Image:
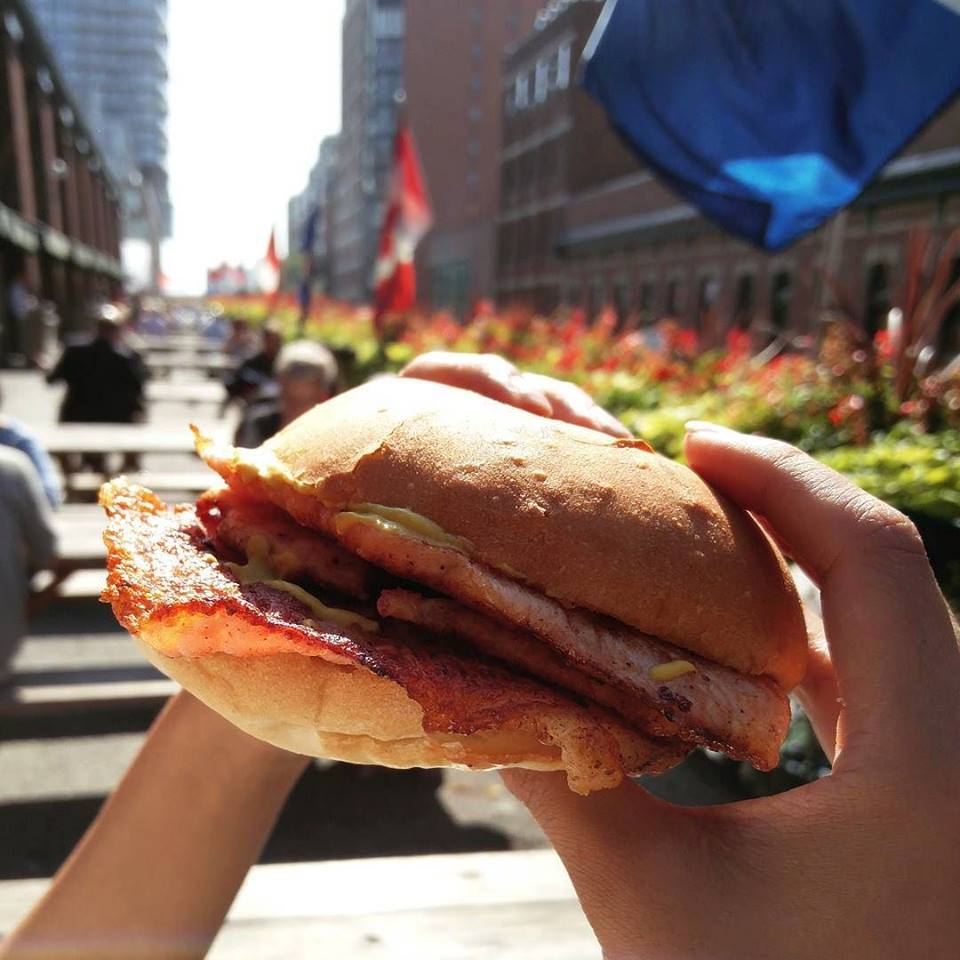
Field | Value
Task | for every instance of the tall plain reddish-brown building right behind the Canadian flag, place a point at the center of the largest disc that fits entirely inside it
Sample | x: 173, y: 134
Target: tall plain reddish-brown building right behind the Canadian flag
x: 452, y: 101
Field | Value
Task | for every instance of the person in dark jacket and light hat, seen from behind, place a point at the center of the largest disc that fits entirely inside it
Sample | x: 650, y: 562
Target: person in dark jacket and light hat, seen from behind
x: 104, y: 377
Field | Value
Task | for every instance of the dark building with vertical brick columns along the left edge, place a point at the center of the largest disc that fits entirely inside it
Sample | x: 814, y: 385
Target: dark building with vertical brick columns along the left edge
x: 59, y: 208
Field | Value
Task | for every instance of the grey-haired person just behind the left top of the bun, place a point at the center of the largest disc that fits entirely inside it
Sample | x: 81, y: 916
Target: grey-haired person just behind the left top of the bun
x: 307, y: 374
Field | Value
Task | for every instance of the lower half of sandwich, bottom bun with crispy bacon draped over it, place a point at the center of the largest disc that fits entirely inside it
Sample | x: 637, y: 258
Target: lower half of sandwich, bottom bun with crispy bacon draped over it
x: 396, y: 698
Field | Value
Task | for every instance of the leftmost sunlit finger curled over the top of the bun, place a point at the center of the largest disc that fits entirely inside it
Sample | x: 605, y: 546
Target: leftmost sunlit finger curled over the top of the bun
x: 487, y: 374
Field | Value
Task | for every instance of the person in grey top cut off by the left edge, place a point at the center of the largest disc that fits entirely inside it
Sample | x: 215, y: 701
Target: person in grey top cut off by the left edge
x: 27, y: 544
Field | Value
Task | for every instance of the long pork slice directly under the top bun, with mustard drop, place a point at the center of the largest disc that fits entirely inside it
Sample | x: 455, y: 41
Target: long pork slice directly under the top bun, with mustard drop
x: 746, y: 717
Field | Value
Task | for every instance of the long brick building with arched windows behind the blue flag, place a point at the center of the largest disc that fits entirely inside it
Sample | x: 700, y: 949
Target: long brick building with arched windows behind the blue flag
x: 583, y: 223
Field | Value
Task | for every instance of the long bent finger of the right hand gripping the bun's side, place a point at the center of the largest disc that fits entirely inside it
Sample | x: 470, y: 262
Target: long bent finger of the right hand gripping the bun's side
x: 889, y: 633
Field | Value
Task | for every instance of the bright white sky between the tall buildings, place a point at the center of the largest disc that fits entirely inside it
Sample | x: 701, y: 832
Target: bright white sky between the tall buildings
x: 254, y: 87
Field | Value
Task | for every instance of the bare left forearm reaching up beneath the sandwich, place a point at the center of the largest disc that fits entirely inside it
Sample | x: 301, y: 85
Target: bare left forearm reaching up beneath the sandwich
x: 157, y: 871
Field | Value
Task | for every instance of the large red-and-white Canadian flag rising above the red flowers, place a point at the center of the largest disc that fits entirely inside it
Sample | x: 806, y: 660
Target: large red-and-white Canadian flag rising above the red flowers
x: 406, y: 219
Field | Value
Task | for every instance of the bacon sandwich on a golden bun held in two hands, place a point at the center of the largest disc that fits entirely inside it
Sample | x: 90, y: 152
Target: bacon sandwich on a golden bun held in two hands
x: 414, y: 575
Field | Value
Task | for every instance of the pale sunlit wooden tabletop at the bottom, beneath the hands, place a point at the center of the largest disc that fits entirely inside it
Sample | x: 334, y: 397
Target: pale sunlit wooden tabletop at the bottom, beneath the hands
x: 515, y: 905
